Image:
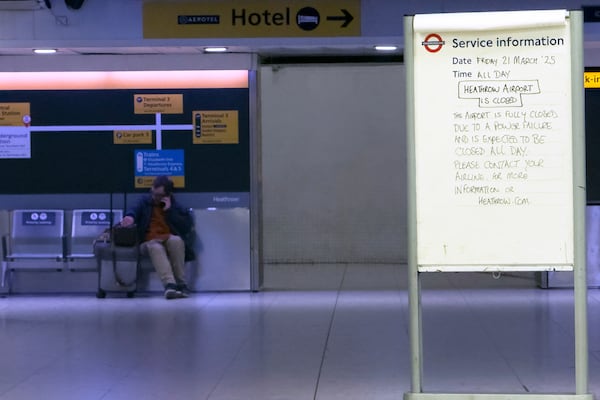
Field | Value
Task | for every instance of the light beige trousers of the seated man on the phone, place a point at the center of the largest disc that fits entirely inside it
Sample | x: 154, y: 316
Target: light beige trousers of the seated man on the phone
x: 168, y: 258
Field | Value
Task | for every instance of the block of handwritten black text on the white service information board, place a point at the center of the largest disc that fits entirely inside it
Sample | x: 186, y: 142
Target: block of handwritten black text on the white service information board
x: 505, y: 146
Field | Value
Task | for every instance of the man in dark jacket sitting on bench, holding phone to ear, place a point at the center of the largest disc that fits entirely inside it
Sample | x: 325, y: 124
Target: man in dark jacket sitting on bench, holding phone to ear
x: 161, y: 224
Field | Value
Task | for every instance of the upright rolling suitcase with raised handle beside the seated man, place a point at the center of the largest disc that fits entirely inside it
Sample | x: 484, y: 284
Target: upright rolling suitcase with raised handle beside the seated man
x: 118, y: 266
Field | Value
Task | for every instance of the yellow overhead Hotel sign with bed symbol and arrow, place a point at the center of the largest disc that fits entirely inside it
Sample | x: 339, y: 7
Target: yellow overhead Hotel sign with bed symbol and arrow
x: 237, y: 19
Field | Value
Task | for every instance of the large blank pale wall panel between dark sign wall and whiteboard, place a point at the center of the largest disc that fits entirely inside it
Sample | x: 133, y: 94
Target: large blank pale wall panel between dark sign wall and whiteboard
x: 333, y: 160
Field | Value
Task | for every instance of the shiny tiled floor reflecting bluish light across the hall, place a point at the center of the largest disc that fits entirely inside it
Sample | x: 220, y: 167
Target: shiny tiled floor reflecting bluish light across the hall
x: 297, y: 340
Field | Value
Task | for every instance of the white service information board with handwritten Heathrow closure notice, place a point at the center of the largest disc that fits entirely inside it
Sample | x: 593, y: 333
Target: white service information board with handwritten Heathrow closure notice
x: 493, y: 141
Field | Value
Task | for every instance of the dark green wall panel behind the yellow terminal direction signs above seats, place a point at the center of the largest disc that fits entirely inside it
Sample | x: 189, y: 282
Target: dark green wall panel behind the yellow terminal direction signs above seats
x: 87, y: 161
